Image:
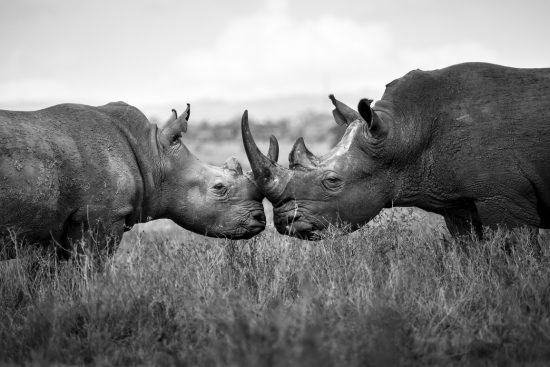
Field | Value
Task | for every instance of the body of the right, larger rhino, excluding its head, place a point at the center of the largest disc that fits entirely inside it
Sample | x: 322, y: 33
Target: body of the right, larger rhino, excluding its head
x: 478, y: 144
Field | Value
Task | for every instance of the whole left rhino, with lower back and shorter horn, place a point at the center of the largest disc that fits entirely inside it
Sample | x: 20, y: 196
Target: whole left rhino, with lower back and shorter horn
x: 71, y: 167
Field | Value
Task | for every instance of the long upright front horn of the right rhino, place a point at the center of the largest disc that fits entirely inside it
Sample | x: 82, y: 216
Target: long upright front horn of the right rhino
x: 270, y: 177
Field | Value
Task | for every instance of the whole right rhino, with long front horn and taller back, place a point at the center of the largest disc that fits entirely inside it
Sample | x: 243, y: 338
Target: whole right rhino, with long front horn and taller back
x: 470, y: 142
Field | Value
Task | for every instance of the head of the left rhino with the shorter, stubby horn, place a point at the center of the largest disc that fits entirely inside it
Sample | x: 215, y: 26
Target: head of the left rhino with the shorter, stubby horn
x: 206, y: 199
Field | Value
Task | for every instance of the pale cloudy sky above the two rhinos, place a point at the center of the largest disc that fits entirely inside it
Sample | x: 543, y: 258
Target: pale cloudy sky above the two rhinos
x: 160, y: 54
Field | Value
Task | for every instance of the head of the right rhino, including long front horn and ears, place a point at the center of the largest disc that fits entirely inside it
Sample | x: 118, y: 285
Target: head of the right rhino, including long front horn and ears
x: 344, y: 188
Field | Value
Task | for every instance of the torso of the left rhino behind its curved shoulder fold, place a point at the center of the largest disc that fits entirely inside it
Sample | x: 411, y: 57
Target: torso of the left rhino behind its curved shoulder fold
x: 60, y: 162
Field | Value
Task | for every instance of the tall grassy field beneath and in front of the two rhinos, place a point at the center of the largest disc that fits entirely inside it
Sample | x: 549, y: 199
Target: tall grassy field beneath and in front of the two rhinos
x: 394, y: 293
